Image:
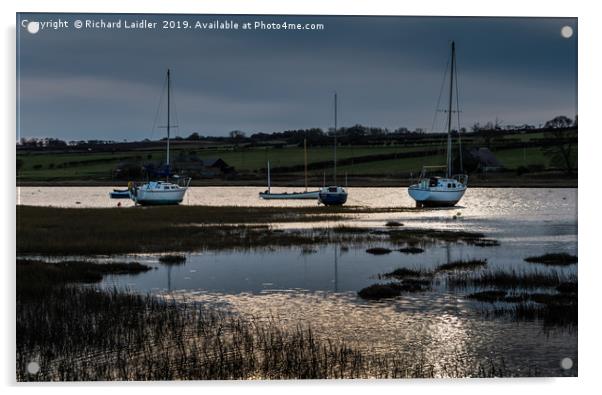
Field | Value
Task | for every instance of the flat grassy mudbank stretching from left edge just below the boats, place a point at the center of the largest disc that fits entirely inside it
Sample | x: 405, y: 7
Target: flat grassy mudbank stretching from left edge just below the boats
x: 63, y: 231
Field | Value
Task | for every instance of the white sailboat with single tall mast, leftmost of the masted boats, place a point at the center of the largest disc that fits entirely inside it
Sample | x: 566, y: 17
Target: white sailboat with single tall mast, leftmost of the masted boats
x: 161, y: 192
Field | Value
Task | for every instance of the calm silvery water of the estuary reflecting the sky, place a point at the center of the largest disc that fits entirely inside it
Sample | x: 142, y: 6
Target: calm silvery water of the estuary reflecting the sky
x: 319, y: 287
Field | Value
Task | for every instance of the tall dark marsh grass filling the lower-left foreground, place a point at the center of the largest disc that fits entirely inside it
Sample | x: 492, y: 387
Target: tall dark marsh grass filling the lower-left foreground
x: 81, y: 333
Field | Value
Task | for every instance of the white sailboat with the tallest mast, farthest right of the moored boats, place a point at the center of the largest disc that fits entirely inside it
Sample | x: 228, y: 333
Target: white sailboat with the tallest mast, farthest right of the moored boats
x: 436, y: 190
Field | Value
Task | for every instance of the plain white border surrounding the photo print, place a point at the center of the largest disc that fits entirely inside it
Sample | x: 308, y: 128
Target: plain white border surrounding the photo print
x: 590, y: 67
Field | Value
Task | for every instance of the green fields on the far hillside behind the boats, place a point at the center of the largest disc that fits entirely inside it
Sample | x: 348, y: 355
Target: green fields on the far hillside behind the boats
x: 98, y: 166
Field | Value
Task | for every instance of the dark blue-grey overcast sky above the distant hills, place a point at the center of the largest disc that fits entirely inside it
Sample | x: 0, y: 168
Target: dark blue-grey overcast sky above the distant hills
x: 106, y: 84
